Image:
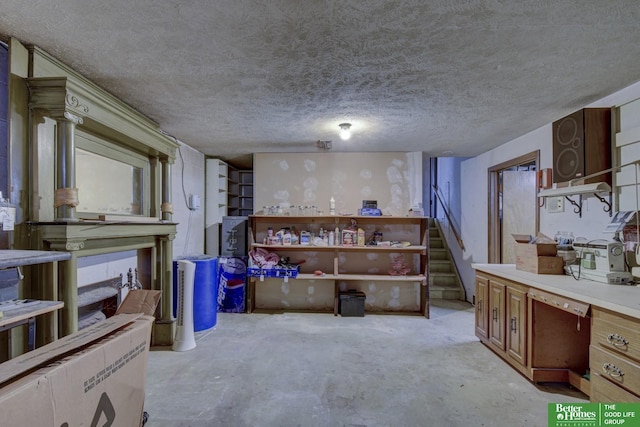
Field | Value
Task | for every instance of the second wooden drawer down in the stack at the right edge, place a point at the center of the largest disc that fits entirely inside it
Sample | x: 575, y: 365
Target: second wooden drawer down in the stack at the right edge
x: 614, y: 368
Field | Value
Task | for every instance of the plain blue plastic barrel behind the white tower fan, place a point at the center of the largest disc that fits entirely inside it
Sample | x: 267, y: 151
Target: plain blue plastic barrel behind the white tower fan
x: 205, y: 291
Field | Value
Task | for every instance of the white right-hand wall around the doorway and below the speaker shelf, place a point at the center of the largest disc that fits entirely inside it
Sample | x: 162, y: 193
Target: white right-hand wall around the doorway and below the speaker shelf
x: 474, y: 190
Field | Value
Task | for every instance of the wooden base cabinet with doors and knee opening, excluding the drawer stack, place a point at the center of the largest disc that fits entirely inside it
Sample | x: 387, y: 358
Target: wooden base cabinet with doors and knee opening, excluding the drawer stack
x: 543, y: 336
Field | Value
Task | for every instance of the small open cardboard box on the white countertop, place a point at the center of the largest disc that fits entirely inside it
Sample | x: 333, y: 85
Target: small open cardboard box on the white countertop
x: 539, y: 258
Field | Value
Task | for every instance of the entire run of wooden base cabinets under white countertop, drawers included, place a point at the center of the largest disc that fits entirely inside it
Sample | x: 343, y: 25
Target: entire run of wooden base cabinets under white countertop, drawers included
x: 552, y: 338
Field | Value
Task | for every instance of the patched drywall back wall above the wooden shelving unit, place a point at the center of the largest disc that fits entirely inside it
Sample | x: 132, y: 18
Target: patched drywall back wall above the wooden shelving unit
x: 394, y: 179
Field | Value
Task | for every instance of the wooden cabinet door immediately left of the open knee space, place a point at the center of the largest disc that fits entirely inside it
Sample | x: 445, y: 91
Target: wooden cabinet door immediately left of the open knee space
x: 516, y: 325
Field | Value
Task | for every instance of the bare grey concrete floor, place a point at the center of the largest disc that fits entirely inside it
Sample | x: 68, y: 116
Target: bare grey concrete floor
x: 319, y: 370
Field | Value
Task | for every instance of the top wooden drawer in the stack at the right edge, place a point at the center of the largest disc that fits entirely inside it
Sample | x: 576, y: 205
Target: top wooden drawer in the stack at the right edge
x: 614, y: 333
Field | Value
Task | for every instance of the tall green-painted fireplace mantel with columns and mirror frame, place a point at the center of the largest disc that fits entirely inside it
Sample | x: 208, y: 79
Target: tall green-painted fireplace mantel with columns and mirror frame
x: 61, y: 103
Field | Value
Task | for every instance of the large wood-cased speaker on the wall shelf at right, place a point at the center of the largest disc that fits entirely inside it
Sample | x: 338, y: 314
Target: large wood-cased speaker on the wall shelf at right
x: 582, y: 145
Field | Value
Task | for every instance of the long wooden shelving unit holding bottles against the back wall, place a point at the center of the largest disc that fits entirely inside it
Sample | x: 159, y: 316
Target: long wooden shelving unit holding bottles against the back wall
x: 363, y: 268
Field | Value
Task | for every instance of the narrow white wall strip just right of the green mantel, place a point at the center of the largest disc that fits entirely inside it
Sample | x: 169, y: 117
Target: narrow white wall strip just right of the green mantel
x: 188, y: 178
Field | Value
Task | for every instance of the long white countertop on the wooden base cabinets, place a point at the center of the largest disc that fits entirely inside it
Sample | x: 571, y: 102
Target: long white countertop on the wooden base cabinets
x: 624, y: 299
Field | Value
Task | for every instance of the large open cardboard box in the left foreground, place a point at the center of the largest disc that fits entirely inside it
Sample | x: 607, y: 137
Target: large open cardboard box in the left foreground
x: 93, y: 377
